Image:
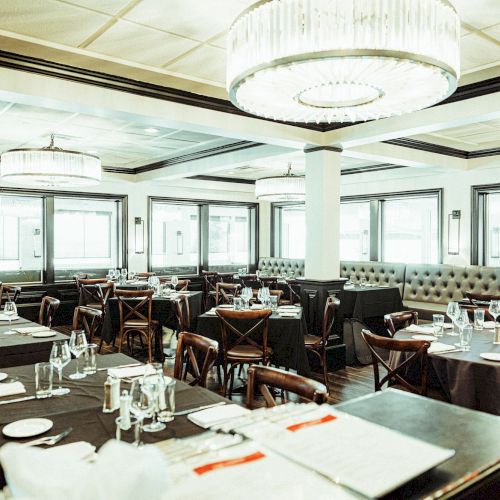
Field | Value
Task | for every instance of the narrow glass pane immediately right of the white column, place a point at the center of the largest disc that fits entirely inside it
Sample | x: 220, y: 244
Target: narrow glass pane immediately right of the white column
x: 355, y: 231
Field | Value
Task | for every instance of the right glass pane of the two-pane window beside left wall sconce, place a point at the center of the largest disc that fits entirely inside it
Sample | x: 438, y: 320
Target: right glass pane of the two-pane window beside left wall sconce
x: 228, y: 233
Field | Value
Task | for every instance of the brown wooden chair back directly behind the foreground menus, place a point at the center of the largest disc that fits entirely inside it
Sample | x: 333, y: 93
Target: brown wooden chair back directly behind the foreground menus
x: 263, y: 377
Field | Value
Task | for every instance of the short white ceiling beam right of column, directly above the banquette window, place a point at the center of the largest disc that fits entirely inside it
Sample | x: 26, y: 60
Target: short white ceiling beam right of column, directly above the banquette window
x: 387, y: 153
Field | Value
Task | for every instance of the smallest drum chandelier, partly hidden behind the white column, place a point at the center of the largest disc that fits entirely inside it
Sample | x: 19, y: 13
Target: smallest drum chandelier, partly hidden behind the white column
x: 286, y: 187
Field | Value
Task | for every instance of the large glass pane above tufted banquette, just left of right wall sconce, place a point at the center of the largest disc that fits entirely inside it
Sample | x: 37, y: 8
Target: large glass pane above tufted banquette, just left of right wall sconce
x: 410, y: 230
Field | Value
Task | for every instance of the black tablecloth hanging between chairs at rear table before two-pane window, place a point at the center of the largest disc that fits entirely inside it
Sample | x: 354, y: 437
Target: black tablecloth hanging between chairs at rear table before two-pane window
x: 164, y: 311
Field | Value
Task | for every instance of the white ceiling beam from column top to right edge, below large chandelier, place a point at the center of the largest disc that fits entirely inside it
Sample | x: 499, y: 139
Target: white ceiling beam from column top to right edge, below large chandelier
x: 426, y: 121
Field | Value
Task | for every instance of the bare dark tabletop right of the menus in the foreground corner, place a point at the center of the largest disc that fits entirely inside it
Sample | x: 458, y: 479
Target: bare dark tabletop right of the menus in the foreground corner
x: 473, y: 435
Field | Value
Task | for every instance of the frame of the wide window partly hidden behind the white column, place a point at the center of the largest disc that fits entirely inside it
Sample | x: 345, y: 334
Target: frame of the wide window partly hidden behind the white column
x: 376, y: 218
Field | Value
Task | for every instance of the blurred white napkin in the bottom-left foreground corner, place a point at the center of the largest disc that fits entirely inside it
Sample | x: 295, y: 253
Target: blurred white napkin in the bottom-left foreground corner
x: 33, y: 473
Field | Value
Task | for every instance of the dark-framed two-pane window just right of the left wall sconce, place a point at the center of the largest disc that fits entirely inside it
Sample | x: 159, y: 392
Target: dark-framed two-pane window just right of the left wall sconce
x: 187, y: 236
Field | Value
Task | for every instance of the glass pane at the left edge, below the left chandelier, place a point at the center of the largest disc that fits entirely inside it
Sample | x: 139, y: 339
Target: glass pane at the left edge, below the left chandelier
x: 21, y: 239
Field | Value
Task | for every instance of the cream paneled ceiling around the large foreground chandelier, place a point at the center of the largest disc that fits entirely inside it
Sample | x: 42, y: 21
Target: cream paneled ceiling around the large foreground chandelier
x: 187, y: 37
